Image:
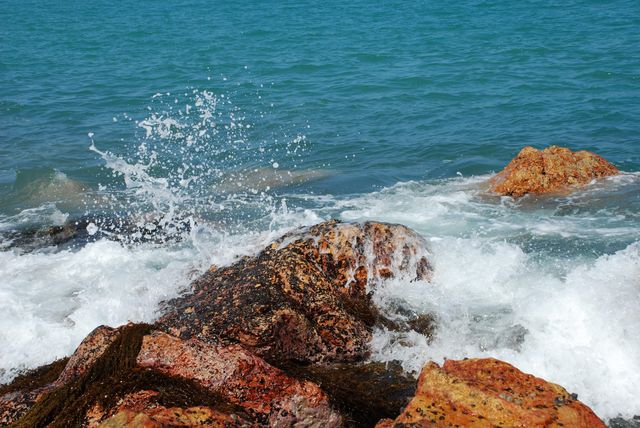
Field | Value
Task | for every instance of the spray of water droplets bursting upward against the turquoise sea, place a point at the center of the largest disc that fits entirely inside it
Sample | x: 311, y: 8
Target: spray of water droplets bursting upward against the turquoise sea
x: 198, y: 159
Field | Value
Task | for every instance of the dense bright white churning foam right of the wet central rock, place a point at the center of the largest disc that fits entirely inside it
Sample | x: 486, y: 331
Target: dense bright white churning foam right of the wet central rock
x: 582, y: 329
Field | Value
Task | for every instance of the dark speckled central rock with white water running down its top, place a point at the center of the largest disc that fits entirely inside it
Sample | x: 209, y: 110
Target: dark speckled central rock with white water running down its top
x: 304, y: 297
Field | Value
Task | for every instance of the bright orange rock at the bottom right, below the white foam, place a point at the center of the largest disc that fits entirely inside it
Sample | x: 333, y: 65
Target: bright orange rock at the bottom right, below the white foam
x: 488, y: 393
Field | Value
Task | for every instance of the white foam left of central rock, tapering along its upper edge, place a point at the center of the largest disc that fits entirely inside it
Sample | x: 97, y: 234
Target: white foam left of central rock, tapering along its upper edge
x: 50, y: 301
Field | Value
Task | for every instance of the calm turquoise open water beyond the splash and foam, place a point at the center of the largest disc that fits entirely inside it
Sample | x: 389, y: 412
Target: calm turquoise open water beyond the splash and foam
x: 404, y: 90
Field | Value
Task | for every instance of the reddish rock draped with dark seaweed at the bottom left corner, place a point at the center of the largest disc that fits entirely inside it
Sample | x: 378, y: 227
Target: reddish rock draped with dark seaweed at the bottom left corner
x: 138, y: 376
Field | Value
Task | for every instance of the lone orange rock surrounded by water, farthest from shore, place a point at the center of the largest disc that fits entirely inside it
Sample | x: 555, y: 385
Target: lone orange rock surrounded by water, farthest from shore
x: 550, y: 170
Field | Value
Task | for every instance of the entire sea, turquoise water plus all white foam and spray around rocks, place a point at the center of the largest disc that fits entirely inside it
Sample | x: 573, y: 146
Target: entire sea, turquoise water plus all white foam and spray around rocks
x: 186, y: 133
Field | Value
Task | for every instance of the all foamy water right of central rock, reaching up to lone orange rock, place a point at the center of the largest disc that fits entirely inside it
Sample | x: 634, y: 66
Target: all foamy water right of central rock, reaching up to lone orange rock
x: 550, y: 284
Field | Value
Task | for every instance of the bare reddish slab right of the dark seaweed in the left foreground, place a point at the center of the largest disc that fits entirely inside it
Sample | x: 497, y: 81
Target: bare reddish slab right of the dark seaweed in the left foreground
x: 241, y: 378
